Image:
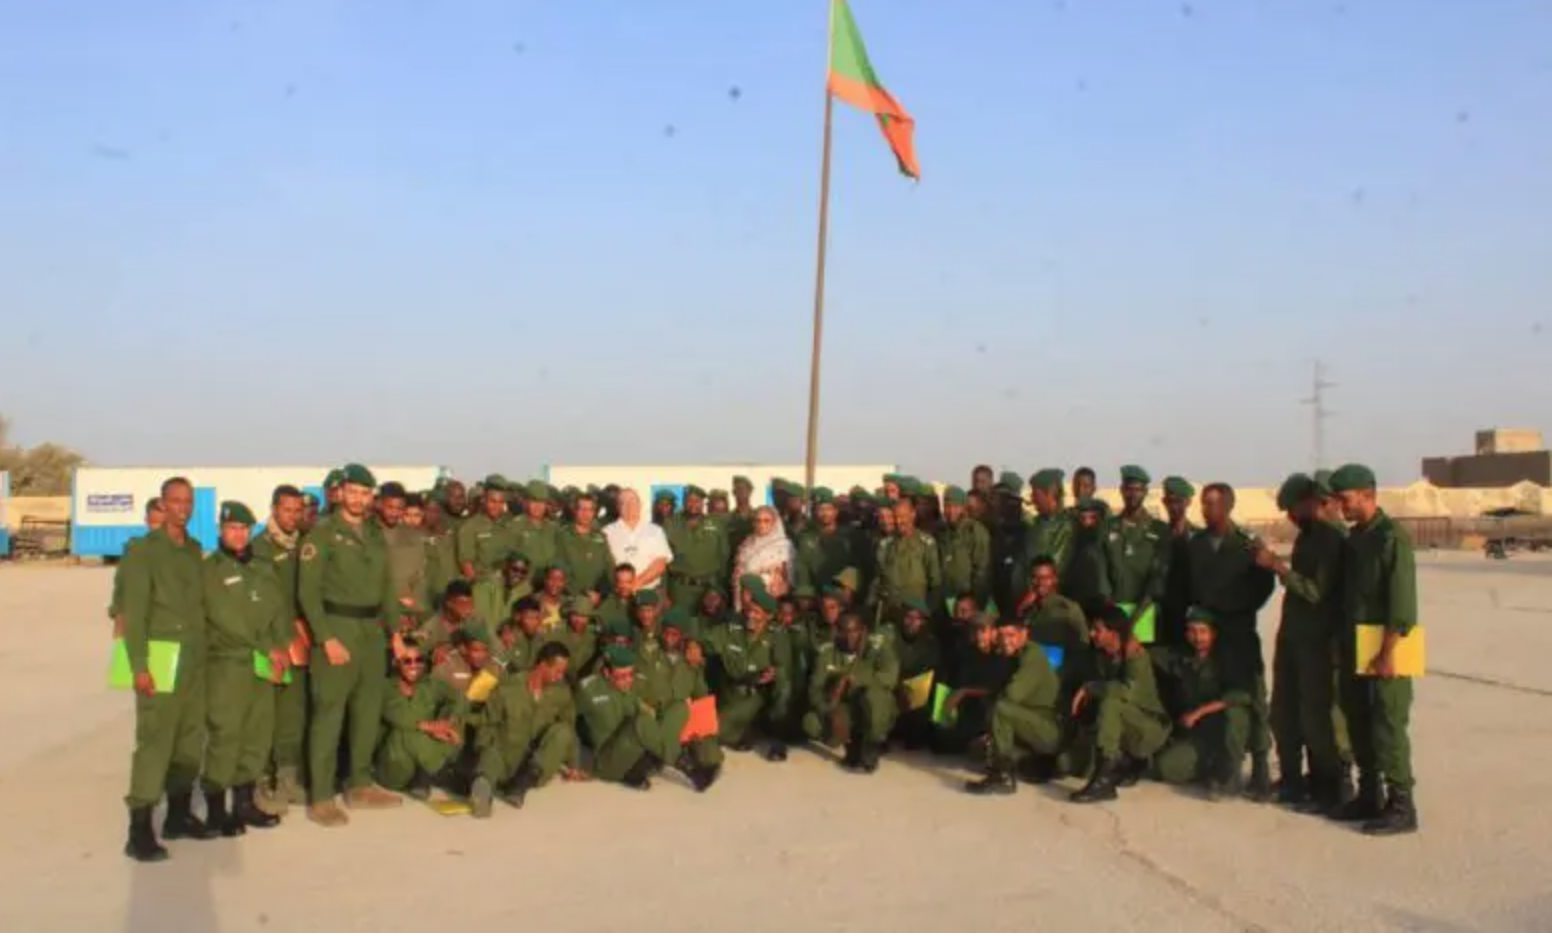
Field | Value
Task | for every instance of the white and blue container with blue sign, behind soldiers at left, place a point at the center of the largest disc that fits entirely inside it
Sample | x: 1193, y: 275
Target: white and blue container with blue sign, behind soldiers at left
x: 108, y: 505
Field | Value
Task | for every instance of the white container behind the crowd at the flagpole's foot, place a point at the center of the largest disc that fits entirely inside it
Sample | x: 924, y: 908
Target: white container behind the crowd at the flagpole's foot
x: 653, y: 479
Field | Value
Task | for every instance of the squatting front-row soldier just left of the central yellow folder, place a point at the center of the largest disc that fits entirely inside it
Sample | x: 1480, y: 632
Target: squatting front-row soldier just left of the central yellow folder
x: 851, y: 695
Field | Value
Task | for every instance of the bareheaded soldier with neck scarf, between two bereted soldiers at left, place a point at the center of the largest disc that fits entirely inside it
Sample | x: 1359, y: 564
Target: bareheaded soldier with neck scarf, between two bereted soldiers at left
x: 277, y: 547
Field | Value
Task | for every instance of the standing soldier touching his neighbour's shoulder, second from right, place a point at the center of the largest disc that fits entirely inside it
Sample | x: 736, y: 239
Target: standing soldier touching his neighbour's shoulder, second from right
x: 1304, y: 668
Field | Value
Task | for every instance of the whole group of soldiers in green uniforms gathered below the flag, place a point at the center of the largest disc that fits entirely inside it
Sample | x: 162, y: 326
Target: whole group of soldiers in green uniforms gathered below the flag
x: 480, y: 640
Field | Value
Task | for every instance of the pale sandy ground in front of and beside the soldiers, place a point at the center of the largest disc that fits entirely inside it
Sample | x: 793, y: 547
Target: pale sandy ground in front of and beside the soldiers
x: 803, y: 847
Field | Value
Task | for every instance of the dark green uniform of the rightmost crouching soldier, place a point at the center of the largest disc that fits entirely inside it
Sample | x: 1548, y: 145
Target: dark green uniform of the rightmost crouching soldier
x: 1214, y: 747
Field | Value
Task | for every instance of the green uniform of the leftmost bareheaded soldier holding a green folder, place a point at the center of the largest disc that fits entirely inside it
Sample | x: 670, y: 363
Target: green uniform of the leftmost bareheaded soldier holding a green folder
x: 164, y: 600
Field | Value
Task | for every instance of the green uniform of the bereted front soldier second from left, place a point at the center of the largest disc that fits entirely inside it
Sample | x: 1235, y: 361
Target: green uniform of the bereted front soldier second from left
x: 246, y: 614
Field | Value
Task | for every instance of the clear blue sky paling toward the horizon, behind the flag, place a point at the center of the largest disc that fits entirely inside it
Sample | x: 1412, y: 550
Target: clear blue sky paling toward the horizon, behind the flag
x: 496, y: 235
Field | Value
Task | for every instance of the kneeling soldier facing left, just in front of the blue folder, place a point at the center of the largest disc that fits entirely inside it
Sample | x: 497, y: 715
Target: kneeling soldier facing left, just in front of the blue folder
x: 1025, y: 715
